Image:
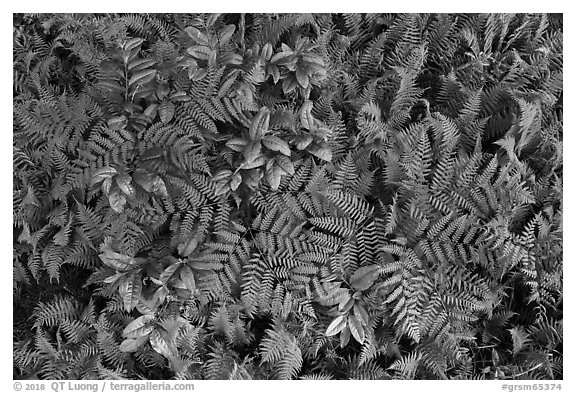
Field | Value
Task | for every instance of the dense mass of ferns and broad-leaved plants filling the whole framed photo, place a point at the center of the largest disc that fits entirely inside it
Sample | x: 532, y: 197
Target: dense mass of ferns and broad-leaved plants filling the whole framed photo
x: 297, y: 196
